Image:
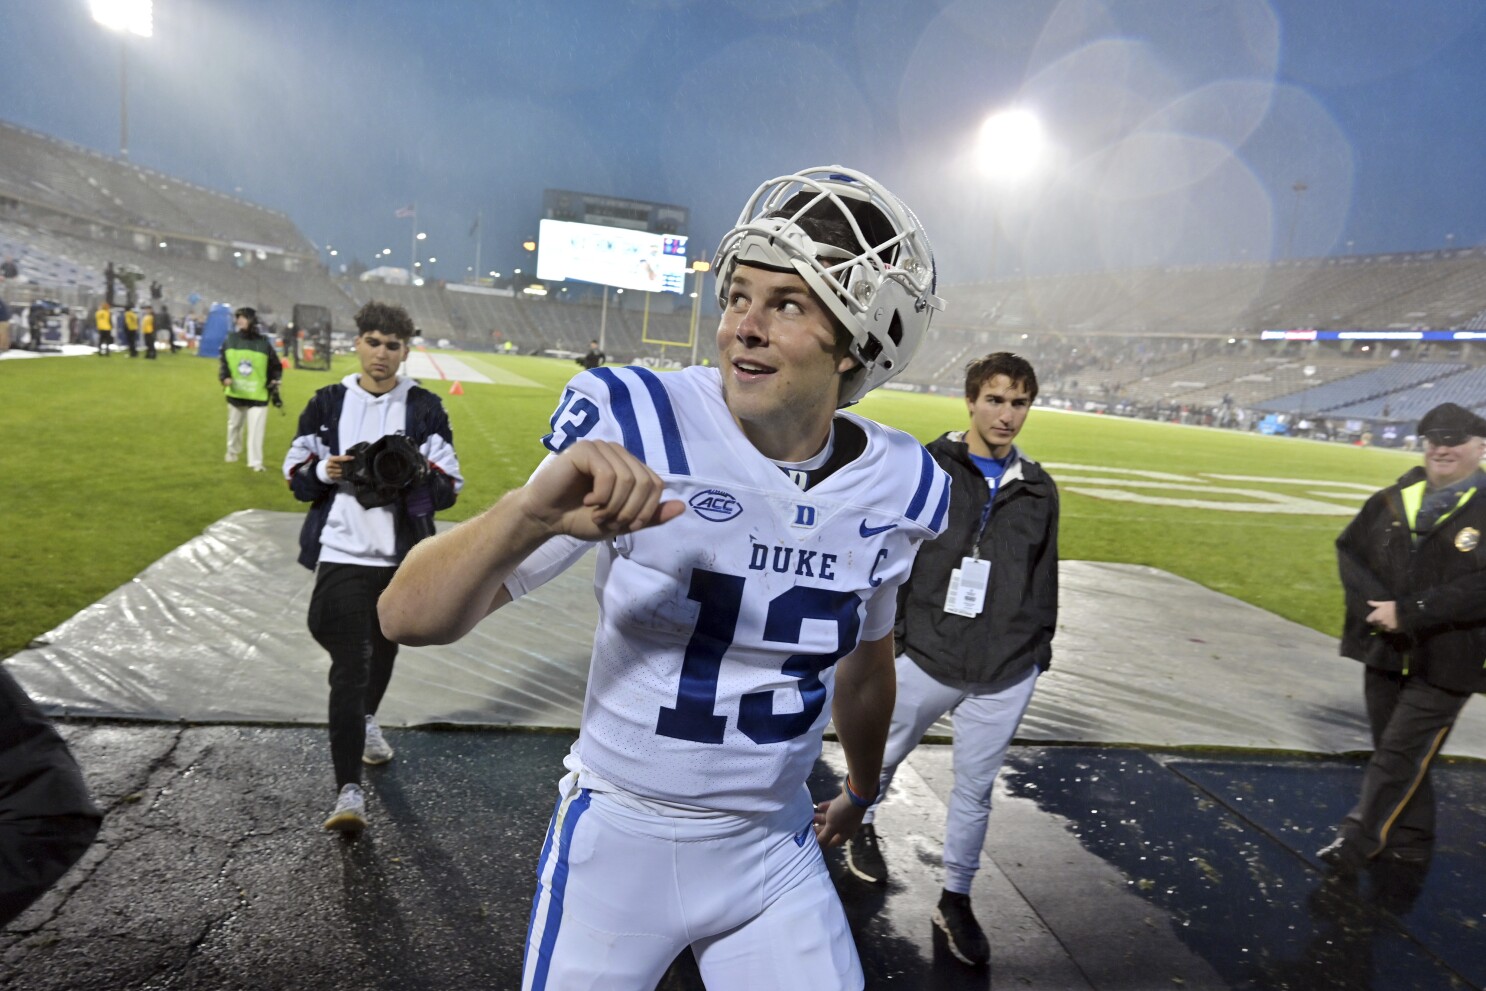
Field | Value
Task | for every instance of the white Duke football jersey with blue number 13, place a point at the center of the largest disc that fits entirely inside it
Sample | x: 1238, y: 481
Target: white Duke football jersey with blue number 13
x: 718, y: 632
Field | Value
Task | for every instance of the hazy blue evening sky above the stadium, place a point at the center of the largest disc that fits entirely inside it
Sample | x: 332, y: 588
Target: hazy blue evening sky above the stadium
x: 1179, y: 129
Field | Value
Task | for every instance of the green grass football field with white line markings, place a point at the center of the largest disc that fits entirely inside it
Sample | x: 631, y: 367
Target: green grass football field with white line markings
x: 109, y: 464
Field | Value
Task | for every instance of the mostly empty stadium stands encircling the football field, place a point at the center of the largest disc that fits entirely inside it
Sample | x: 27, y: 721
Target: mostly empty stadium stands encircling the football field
x: 1143, y: 339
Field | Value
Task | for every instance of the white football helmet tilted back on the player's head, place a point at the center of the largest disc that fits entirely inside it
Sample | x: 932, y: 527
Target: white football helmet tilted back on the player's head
x: 880, y: 289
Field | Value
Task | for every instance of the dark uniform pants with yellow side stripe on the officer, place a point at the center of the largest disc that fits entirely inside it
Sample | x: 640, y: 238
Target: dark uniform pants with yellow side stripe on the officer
x: 1411, y: 721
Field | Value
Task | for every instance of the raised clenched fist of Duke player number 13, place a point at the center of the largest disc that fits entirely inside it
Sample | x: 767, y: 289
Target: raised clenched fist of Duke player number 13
x: 597, y: 490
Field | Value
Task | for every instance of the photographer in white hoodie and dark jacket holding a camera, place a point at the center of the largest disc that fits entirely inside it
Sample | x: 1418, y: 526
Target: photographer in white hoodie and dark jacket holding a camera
x: 375, y: 458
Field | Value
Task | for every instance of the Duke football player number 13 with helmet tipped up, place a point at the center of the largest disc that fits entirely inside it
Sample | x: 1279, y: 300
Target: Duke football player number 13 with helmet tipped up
x: 751, y: 539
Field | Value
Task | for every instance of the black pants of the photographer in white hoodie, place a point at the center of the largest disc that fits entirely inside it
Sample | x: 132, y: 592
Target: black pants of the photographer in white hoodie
x: 343, y: 619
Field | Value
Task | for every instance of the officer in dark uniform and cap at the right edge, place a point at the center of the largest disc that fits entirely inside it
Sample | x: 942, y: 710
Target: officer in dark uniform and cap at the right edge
x: 1414, y: 571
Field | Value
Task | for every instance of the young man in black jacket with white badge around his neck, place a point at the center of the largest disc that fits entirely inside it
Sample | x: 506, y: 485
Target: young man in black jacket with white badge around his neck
x: 976, y: 625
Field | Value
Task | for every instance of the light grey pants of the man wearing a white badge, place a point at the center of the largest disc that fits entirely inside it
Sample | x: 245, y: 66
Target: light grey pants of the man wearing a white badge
x: 984, y: 726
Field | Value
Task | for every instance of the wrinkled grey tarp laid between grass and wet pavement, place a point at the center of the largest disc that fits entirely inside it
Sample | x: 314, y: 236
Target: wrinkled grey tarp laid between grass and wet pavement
x: 215, y: 632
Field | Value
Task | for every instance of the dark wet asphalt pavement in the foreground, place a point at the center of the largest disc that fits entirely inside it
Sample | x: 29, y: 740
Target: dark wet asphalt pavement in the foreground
x: 1108, y: 868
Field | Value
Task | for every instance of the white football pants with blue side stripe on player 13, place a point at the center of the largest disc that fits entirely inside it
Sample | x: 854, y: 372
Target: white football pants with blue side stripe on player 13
x: 622, y: 892
